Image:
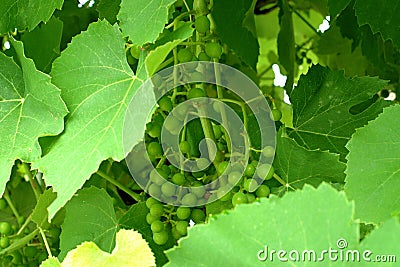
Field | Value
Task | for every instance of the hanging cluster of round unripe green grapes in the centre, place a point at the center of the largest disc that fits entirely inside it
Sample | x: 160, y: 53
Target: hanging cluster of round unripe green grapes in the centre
x: 236, y: 183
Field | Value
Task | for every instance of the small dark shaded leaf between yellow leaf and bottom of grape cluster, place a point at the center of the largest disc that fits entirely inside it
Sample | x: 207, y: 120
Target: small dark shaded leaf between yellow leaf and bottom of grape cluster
x: 135, y: 218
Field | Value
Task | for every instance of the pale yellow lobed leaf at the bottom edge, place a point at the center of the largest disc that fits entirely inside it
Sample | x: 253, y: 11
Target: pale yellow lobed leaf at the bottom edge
x: 131, y: 250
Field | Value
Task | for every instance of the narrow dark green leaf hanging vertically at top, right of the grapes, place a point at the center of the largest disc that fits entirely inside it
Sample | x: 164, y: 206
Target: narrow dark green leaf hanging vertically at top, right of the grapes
x: 286, y: 49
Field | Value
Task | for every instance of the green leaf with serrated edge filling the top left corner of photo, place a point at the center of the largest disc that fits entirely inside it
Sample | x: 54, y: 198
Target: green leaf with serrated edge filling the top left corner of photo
x: 17, y: 14
